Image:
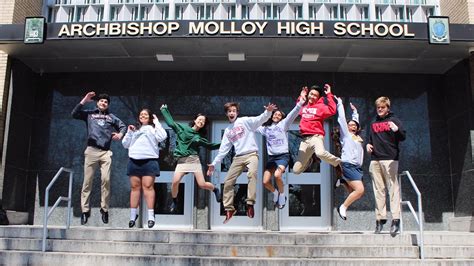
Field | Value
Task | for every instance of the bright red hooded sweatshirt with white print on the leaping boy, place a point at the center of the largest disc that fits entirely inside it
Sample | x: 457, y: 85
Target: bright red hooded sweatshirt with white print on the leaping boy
x: 314, y: 114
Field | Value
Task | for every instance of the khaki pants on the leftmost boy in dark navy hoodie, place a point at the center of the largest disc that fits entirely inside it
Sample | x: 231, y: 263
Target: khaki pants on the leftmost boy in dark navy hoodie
x: 93, y: 158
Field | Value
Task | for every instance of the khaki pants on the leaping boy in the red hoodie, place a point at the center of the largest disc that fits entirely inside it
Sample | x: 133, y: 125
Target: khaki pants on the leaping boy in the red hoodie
x: 308, y: 146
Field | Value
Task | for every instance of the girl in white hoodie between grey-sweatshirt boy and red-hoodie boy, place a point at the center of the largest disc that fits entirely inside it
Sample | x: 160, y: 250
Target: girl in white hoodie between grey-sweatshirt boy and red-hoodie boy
x: 275, y: 131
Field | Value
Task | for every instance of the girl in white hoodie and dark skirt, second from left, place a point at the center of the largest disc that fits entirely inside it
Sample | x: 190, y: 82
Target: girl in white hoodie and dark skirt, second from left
x: 142, y: 144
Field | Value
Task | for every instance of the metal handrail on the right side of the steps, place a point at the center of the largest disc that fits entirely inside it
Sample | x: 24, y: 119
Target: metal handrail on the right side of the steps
x: 418, y: 217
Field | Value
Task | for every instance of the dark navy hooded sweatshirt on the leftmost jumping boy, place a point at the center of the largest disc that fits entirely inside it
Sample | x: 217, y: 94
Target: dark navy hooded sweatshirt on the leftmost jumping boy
x: 100, y: 126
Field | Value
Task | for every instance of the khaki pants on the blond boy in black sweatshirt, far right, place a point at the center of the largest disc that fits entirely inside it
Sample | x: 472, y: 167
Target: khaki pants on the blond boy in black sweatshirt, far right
x: 384, y: 175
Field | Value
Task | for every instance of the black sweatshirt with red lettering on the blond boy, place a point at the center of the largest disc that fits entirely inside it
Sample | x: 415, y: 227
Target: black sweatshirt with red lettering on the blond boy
x: 384, y: 140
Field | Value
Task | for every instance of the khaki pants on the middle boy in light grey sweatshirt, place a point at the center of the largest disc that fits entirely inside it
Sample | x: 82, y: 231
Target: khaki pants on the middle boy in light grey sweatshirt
x: 238, y: 165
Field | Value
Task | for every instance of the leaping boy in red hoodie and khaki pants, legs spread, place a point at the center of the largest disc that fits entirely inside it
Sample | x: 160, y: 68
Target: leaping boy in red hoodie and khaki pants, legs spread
x: 313, y: 114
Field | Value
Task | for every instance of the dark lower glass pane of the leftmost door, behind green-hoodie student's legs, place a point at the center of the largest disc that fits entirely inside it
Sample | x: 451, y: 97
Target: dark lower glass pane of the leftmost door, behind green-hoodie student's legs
x: 163, y: 199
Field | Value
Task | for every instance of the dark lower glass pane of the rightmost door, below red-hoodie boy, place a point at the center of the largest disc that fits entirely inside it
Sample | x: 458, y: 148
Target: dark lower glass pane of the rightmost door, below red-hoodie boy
x: 304, y: 200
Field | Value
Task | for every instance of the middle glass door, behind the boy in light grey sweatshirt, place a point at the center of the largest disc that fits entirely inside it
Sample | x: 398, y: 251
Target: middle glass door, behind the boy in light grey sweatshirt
x: 240, y: 221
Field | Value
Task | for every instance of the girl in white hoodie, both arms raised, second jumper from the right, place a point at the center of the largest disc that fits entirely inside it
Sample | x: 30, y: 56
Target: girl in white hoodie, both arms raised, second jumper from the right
x: 352, y: 156
